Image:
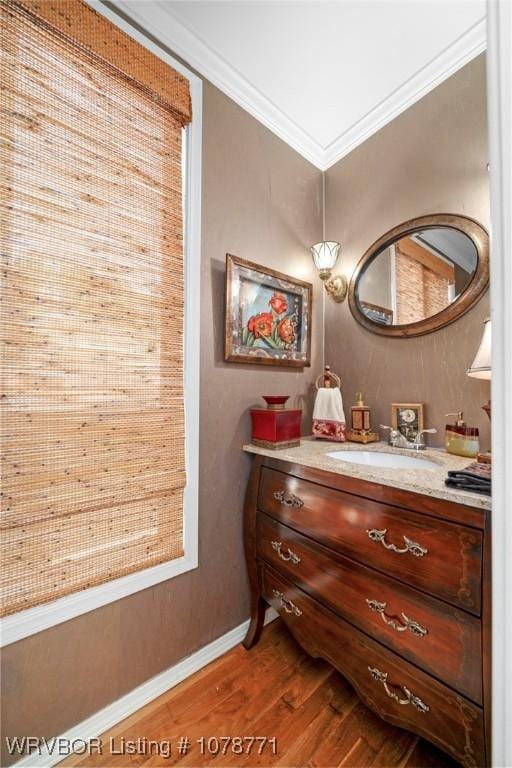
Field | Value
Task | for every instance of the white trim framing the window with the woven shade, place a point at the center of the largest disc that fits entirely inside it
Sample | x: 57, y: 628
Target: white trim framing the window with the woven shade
x: 41, y: 617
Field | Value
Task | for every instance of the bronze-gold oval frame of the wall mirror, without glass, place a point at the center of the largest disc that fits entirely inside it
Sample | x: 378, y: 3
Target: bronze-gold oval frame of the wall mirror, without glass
x: 462, y: 303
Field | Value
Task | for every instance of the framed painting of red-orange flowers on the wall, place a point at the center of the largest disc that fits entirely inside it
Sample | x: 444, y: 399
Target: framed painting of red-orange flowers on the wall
x: 268, y: 316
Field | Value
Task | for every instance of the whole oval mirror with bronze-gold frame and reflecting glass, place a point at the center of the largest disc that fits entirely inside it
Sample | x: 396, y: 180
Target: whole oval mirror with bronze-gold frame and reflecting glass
x: 421, y: 275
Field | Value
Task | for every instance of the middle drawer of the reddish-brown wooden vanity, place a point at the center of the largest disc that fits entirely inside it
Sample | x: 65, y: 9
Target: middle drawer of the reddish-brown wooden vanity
x: 439, y: 638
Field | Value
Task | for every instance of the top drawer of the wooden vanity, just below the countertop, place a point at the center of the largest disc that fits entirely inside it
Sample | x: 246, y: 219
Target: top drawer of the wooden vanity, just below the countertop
x: 442, y: 558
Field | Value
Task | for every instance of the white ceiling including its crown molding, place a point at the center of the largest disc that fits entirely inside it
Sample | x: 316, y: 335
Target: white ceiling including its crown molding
x: 322, y: 75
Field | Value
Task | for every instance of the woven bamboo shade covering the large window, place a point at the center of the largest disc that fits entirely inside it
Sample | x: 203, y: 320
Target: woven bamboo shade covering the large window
x: 92, y: 428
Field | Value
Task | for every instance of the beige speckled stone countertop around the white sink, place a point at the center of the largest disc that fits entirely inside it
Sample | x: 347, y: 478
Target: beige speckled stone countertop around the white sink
x: 430, y: 482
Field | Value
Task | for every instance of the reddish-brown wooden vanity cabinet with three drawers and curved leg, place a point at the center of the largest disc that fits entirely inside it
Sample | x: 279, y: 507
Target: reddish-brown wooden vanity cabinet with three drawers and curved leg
x: 389, y: 586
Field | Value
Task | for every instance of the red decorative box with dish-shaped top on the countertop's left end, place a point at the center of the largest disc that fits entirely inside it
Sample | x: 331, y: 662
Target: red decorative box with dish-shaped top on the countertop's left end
x: 275, y: 426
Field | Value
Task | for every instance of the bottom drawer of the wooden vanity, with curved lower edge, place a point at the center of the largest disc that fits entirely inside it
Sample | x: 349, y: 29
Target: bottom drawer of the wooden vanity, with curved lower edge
x: 391, y: 686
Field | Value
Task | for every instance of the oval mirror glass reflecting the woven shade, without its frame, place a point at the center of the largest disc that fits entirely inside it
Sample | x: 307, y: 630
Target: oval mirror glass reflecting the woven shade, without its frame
x: 416, y: 276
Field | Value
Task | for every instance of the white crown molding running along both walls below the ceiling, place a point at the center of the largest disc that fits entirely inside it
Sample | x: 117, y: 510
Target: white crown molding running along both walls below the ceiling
x: 158, y: 19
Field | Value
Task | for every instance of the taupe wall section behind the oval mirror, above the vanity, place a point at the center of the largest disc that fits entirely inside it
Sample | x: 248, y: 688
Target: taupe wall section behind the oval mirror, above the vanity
x: 430, y: 159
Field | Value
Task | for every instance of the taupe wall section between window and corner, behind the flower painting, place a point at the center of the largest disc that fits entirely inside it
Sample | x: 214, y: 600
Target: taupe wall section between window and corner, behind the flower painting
x: 260, y: 201
